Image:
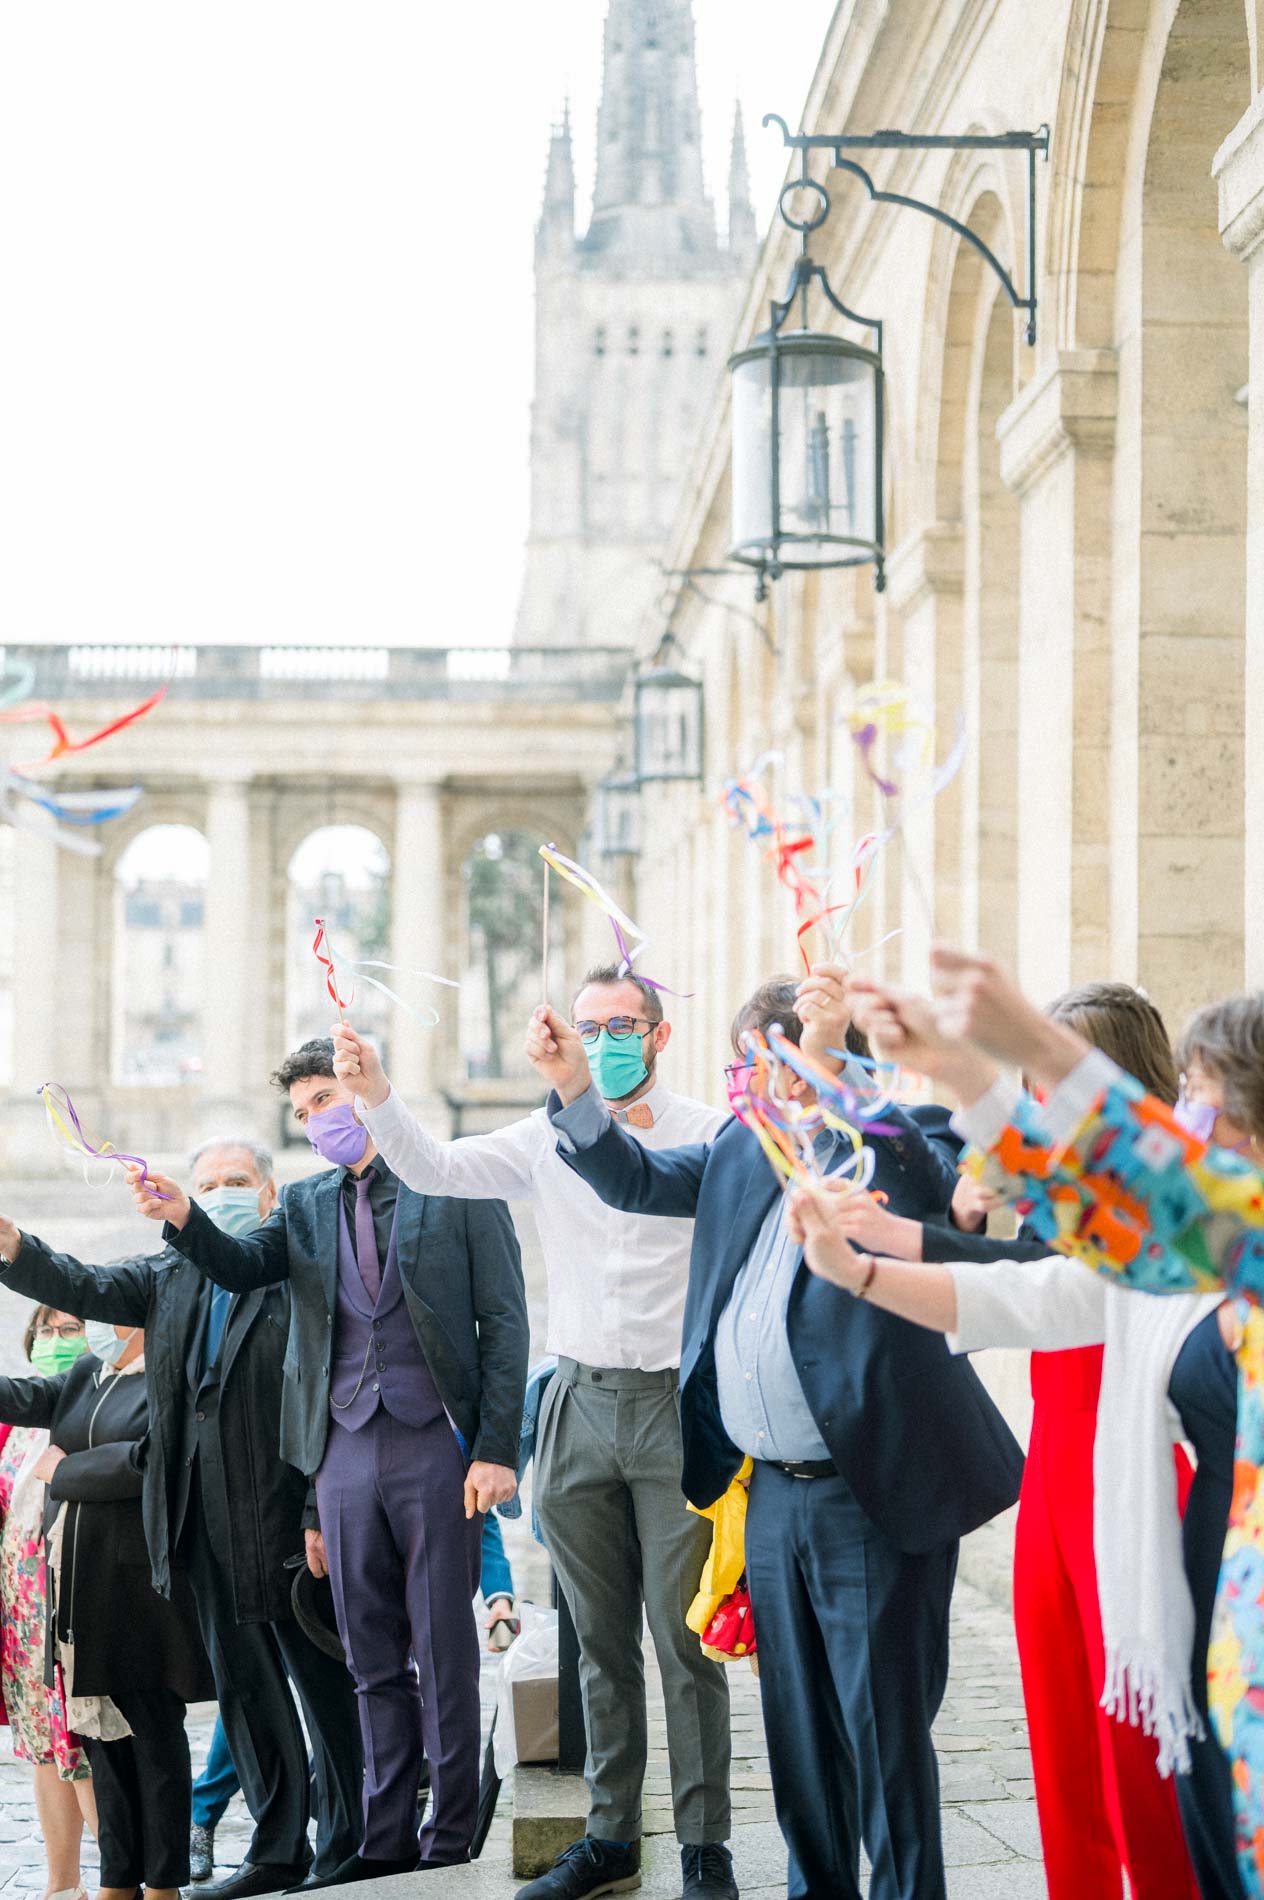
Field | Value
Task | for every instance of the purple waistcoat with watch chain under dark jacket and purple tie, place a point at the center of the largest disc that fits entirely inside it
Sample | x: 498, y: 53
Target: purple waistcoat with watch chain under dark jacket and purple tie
x: 396, y: 1373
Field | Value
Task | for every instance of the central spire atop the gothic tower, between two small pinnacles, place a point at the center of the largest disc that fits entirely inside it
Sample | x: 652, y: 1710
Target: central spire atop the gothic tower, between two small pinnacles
x: 649, y: 193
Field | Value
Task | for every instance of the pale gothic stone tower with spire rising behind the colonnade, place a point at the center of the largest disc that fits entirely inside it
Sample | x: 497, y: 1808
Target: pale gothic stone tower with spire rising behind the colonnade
x: 634, y: 324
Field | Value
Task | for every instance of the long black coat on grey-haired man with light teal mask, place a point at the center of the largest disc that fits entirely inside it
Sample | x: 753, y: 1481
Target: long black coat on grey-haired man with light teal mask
x: 164, y: 1295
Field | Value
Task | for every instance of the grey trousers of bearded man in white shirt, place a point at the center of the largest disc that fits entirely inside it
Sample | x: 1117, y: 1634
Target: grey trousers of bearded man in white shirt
x: 626, y: 1549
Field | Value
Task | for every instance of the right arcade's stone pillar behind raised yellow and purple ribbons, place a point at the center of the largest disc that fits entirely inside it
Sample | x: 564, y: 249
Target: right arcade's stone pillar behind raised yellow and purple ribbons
x: 925, y: 586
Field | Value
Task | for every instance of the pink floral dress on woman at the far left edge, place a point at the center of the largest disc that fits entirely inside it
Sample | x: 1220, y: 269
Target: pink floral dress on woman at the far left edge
x: 37, y: 1715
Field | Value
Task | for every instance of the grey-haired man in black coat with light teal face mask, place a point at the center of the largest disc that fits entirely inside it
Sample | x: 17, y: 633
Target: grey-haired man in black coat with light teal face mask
x: 223, y: 1506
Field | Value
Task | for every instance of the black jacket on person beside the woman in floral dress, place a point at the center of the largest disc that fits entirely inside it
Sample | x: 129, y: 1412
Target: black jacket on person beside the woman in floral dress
x: 126, y: 1637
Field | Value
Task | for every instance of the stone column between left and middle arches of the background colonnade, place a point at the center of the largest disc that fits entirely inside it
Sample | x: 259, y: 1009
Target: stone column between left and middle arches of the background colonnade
x: 233, y: 966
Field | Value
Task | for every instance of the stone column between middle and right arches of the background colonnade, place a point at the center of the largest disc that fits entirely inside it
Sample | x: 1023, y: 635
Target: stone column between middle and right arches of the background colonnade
x: 423, y: 938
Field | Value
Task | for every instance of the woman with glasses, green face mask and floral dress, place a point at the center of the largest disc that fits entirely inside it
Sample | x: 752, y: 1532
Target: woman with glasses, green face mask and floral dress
x: 37, y: 1715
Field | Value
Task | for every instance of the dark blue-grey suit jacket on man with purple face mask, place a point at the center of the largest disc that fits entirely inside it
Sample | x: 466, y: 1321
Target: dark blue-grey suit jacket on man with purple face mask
x: 463, y: 1283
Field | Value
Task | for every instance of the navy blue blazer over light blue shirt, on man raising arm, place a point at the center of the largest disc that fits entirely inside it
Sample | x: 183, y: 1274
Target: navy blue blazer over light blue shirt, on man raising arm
x: 908, y: 1424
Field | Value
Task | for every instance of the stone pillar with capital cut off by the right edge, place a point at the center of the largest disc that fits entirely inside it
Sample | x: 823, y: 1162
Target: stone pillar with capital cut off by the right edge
x: 1240, y: 174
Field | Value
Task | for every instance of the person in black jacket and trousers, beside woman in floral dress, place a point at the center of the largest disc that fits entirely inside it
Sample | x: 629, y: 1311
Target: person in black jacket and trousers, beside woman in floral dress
x: 128, y: 1658
